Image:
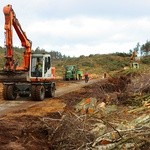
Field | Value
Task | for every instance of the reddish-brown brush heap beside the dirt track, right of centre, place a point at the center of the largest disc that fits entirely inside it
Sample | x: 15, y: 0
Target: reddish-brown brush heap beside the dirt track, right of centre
x: 110, y: 90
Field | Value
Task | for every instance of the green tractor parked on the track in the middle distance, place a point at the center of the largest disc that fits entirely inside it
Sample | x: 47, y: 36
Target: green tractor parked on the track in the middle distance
x: 72, y: 73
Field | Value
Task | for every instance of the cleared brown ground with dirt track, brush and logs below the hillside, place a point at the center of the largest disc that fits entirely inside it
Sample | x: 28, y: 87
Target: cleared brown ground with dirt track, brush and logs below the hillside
x: 110, y: 113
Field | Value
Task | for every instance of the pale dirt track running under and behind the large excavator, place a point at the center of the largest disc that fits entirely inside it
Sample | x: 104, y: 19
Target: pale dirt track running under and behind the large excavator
x: 24, y: 103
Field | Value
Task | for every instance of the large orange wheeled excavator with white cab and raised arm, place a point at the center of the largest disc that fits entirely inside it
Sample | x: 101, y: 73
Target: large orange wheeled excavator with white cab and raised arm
x: 25, y: 80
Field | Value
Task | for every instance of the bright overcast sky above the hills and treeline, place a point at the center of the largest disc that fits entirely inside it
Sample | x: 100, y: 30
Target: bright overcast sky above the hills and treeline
x: 81, y: 27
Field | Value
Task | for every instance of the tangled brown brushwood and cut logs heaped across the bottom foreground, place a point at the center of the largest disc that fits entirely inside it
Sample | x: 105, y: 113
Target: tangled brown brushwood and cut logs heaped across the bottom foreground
x: 71, y: 131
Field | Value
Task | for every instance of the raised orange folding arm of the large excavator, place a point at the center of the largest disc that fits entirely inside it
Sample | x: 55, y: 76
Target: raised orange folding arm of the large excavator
x: 10, y: 22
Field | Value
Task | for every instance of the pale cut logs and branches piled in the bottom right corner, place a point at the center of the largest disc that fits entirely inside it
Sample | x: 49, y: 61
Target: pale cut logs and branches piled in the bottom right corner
x: 133, y: 135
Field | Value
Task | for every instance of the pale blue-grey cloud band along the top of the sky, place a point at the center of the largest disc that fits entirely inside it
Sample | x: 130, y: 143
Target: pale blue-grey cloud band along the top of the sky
x: 95, y: 8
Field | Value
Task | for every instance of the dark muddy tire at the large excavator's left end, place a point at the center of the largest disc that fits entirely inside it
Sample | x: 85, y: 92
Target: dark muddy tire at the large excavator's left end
x: 11, y: 95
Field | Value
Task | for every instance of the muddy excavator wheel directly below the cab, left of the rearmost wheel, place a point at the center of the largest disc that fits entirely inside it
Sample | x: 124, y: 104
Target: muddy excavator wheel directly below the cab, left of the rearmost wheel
x: 40, y: 93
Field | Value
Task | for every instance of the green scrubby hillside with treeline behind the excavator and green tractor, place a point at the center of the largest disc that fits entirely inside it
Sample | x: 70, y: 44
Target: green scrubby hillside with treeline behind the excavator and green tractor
x: 94, y: 64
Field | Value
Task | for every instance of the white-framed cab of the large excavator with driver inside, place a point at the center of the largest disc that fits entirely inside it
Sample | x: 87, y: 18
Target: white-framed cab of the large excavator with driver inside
x: 40, y: 67
